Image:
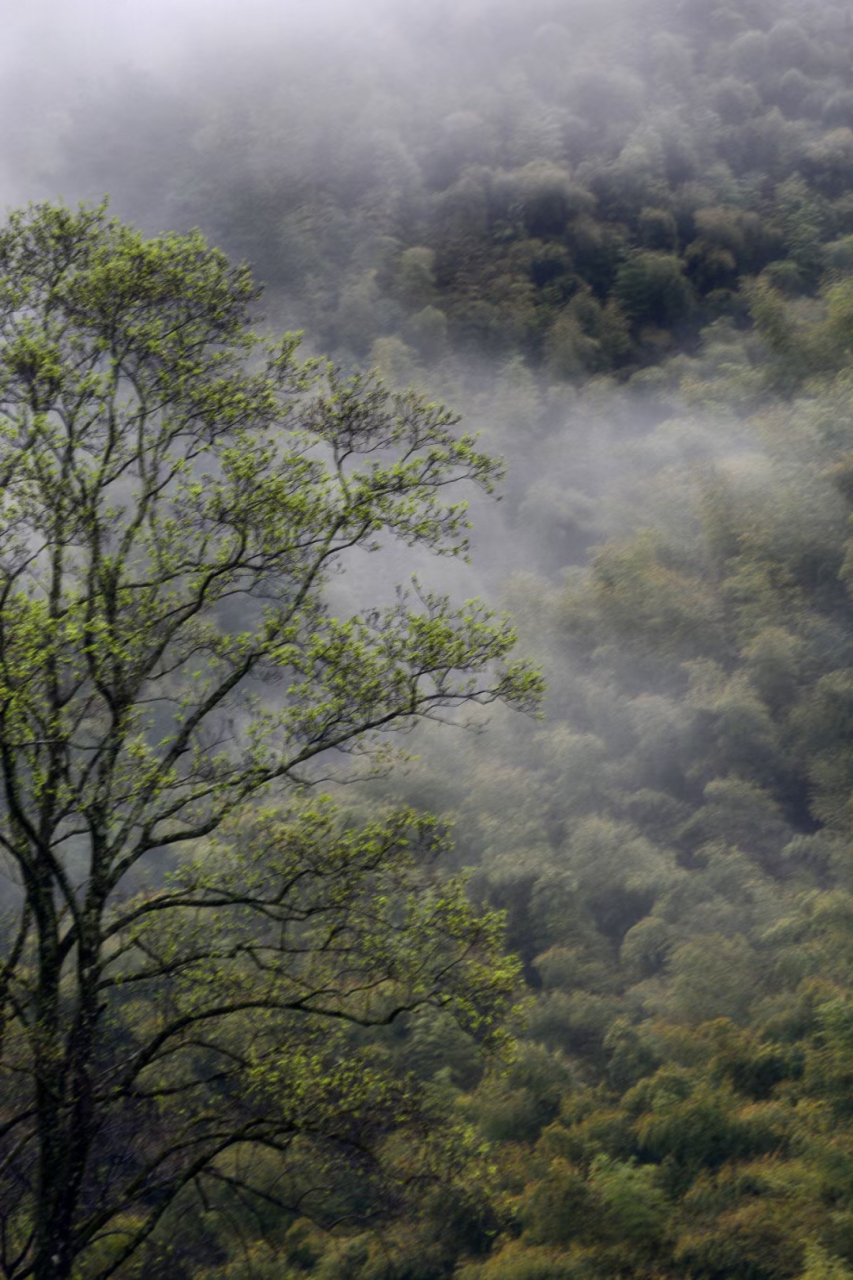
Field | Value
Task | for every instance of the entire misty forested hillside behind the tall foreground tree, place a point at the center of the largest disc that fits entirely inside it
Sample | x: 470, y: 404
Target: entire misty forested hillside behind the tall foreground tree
x: 618, y: 239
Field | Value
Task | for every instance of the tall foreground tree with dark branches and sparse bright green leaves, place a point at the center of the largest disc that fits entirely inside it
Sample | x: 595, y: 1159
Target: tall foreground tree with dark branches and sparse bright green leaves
x: 176, y: 495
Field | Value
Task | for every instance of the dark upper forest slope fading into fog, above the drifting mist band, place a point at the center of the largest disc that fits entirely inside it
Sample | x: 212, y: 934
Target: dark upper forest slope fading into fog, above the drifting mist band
x: 670, y: 159
